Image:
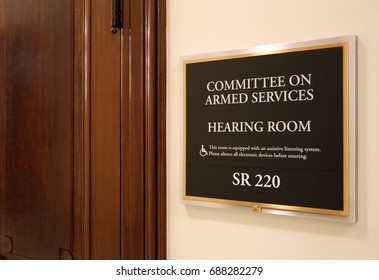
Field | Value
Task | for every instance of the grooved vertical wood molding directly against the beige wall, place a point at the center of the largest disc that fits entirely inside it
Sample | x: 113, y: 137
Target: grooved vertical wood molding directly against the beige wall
x: 155, y: 123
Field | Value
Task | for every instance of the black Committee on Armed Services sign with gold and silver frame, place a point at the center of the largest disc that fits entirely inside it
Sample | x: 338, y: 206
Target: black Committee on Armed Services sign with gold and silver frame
x: 271, y: 127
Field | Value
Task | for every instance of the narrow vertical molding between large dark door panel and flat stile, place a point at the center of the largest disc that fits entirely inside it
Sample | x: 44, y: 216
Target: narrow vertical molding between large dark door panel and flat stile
x: 82, y: 118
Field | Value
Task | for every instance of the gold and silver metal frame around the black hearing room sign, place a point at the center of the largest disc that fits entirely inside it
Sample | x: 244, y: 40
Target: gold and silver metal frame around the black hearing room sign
x: 349, y: 212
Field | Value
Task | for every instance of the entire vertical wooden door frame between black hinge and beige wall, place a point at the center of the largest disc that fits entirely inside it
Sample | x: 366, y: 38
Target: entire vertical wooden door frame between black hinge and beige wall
x: 144, y: 130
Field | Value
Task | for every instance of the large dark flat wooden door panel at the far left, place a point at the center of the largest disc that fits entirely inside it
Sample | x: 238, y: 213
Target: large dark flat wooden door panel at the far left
x: 37, y: 97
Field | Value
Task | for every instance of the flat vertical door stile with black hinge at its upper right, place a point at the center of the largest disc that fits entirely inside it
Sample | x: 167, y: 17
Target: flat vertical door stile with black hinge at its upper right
x: 105, y: 134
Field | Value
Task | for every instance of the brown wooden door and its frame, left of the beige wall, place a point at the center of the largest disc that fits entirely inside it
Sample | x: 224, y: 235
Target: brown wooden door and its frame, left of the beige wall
x: 82, y: 147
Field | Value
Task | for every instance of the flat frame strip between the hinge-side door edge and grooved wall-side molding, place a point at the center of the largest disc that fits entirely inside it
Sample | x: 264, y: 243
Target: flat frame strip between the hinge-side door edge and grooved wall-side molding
x: 132, y: 134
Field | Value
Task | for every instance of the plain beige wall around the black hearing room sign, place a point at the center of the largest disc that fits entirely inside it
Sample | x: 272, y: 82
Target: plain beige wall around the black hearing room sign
x: 198, y: 26
